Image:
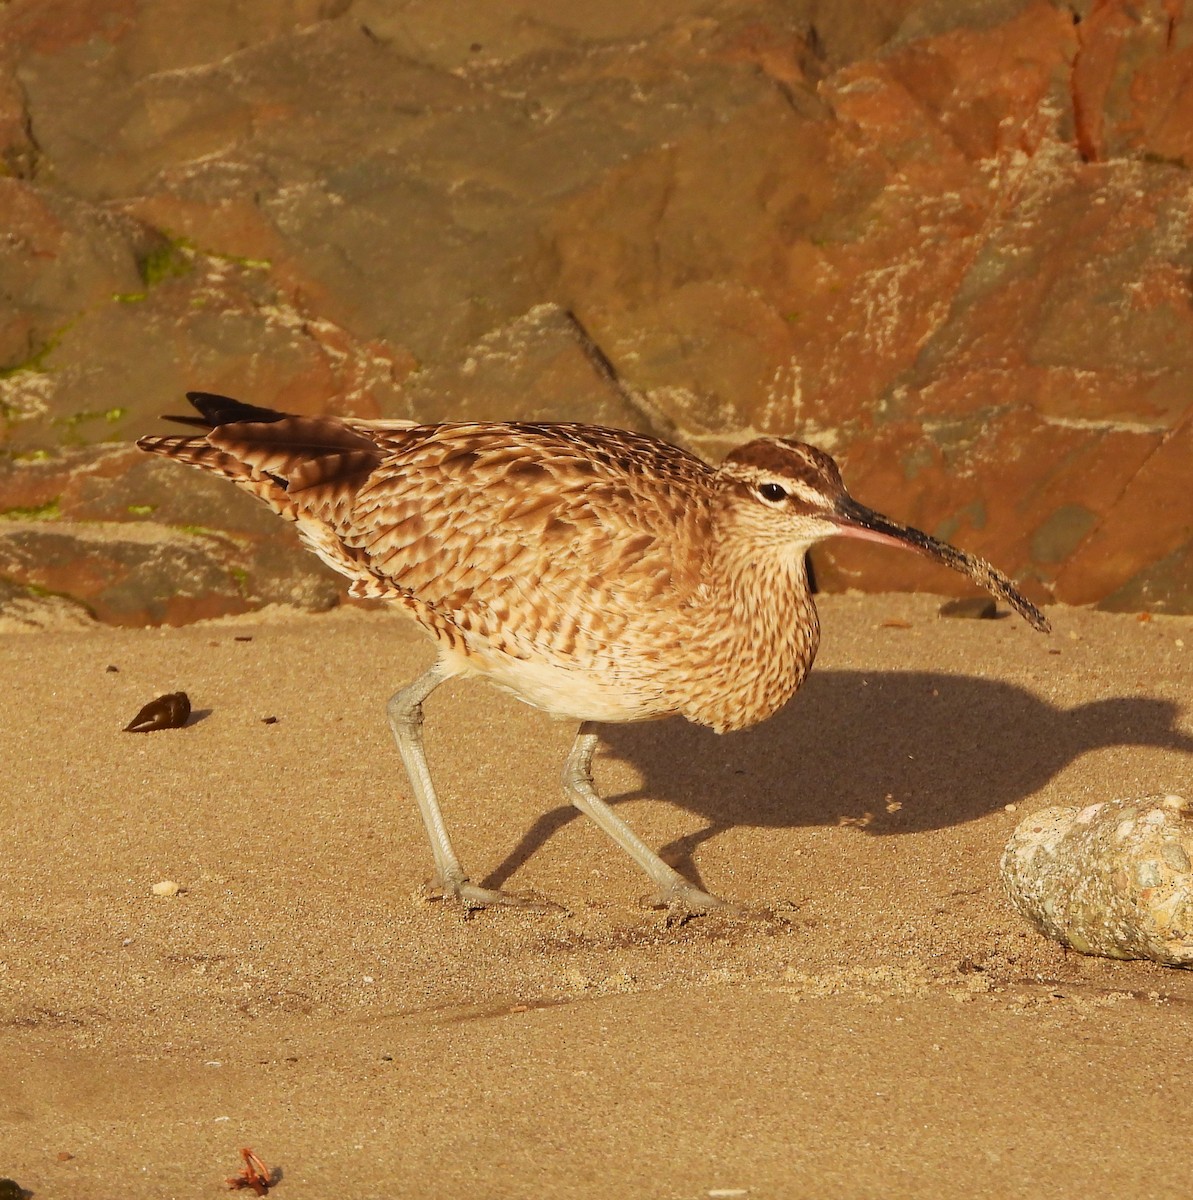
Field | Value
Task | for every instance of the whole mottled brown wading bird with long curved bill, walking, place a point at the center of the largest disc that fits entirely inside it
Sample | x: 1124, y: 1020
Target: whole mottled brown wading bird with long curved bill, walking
x: 596, y: 574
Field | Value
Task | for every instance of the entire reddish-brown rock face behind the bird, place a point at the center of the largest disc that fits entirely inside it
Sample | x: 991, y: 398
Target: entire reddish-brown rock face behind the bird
x: 949, y: 244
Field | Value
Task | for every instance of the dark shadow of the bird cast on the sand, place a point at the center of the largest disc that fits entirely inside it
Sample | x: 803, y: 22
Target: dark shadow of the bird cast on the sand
x: 888, y: 752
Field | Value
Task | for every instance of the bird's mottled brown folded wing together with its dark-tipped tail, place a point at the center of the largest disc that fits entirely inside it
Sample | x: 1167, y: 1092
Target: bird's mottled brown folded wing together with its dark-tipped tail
x: 532, y: 539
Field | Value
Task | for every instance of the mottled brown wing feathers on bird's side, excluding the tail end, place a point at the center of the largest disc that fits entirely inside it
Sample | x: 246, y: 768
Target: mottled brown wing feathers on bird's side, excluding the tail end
x: 547, y: 538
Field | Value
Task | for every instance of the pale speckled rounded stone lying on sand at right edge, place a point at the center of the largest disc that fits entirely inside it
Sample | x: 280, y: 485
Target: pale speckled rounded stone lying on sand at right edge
x: 1112, y: 879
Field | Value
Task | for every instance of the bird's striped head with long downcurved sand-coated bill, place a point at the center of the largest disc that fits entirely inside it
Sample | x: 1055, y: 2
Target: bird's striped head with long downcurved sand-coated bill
x: 787, y: 496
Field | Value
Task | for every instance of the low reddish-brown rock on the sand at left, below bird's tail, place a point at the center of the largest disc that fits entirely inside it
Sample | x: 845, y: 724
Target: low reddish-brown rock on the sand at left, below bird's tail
x: 135, y: 541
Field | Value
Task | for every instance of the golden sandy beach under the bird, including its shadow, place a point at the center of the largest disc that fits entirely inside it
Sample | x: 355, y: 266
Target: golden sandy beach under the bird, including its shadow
x: 877, y: 1022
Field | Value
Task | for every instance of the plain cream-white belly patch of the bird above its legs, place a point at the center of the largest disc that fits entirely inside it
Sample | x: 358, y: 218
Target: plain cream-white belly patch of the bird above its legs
x: 566, y: 691
